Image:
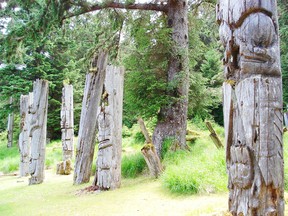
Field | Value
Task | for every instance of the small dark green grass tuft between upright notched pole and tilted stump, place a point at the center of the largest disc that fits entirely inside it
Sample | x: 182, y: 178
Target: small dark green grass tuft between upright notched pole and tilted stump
x: 133, y: 165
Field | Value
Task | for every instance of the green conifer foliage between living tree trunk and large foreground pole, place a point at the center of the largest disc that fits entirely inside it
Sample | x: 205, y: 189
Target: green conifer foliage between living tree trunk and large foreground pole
x: 205, y: 65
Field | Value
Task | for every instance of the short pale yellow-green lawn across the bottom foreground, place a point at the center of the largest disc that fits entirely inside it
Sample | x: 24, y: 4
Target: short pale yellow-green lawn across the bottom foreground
x: 137, y: 197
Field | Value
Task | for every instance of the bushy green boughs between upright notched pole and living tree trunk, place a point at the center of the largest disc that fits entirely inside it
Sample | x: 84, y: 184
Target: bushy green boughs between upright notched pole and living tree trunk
x: 145, y: 54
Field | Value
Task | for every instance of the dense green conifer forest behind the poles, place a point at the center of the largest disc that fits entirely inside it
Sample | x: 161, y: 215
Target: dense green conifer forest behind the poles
x: 138, y: 40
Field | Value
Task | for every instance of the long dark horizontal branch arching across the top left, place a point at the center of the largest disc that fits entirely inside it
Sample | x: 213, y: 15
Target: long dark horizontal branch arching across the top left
x: 98, y: 6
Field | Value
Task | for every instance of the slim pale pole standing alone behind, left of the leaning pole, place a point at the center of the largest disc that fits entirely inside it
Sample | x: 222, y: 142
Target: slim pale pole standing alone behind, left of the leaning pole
x: 67, y: 122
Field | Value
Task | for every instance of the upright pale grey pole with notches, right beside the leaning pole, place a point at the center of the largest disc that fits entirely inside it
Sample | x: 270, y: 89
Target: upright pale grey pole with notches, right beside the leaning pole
x: 108, y: 173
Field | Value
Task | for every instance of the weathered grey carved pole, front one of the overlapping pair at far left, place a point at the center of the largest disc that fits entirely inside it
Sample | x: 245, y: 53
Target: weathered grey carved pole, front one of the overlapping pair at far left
x: 38, y: 130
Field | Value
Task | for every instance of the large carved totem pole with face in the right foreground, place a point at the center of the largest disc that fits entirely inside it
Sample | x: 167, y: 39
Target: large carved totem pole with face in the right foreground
x: 252, y: 106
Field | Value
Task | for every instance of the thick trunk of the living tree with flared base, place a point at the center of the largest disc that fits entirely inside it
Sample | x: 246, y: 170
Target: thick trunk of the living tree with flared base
x: 172, y: 120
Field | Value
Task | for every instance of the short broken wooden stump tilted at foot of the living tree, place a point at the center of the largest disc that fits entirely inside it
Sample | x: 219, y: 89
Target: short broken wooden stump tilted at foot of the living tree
x: 152, y: 160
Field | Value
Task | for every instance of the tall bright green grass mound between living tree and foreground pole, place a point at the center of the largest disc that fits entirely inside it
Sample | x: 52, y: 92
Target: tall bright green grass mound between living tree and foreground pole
x: 202, y: 170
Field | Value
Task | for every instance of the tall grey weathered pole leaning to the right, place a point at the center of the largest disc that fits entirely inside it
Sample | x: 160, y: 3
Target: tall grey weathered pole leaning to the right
x: 88, y: 127
